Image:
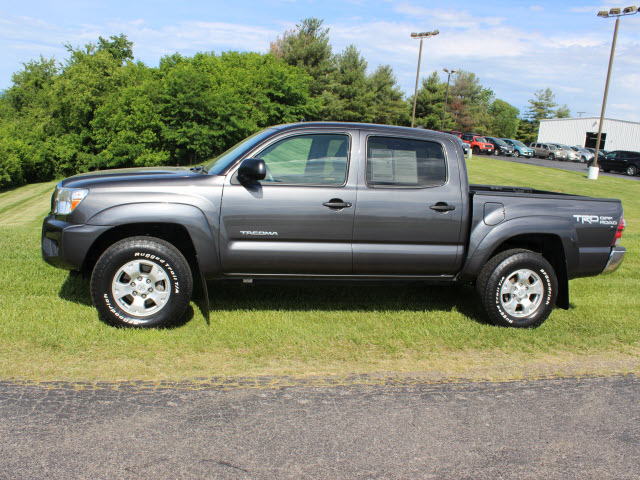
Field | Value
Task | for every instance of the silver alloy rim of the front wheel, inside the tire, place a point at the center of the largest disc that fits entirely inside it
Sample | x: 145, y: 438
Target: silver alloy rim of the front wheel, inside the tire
x: 141, y: 288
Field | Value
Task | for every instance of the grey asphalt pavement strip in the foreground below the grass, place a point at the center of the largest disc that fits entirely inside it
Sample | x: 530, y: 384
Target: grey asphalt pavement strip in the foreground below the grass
x: 561, y: 429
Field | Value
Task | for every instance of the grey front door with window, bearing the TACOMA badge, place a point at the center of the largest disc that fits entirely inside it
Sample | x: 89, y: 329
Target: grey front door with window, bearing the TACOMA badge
x: 299, y: 219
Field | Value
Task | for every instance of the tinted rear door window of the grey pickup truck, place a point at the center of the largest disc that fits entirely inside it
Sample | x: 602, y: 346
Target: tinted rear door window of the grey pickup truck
x: 405, y: 163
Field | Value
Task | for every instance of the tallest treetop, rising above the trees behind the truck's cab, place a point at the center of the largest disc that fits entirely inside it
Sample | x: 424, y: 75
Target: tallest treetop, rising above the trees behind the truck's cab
x: 307, y: 46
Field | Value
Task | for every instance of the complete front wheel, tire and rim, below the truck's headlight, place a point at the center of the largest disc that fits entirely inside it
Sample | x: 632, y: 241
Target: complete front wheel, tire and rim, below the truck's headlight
x: 163, y: 271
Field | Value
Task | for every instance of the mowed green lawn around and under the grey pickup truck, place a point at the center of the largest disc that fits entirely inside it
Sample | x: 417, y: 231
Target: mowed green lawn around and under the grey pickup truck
x: 50, y: 331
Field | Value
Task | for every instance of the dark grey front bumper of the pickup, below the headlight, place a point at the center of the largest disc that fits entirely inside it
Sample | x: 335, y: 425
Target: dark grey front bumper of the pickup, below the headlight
x: 65, y: 245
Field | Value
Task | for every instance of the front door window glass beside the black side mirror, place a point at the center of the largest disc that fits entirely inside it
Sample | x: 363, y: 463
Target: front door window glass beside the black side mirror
x: 307, y: 160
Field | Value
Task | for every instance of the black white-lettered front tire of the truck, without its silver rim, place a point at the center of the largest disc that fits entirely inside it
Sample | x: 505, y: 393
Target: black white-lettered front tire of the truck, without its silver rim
x: 159, y: 252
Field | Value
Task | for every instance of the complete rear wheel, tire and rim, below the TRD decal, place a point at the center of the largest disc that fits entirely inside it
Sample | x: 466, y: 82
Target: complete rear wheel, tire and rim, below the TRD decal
x: 517, y: 288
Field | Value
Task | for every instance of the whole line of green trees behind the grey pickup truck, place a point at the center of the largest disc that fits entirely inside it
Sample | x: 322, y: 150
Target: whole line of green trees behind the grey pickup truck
x: 102, y: 109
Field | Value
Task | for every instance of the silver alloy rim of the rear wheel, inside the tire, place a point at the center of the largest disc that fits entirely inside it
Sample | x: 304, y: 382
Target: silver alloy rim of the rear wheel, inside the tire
x: 521, y: 293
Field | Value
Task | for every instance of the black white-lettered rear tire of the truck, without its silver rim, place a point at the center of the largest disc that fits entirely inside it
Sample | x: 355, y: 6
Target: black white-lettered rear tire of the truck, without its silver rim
x: 500, y: 275
